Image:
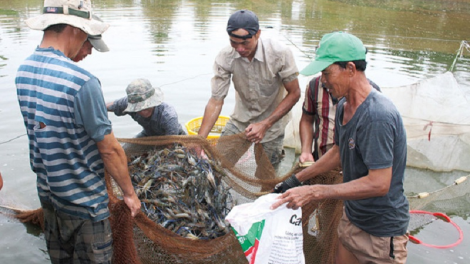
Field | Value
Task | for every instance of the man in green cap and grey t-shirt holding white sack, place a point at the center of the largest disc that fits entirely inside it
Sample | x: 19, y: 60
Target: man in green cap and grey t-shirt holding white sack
x: 370, y: 145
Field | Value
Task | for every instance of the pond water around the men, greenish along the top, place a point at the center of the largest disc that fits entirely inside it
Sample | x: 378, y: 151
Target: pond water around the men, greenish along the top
x: 173, y: 44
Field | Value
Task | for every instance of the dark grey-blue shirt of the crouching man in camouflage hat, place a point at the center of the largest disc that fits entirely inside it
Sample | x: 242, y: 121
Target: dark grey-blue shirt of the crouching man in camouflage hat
x: 163, y: 122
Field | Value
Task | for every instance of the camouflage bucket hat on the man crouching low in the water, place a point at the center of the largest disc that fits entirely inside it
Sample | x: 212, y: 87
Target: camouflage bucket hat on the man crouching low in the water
x: 141, y: 95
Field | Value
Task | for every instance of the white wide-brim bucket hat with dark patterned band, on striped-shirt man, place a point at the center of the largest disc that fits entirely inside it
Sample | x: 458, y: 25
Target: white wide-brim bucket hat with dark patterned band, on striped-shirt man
x: 77, y: 13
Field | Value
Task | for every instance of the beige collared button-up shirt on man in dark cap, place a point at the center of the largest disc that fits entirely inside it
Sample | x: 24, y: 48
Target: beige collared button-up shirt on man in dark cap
x: 259, y: 84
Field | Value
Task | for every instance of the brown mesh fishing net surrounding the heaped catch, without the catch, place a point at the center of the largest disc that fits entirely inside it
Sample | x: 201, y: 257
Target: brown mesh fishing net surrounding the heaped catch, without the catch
x: 245, y: 170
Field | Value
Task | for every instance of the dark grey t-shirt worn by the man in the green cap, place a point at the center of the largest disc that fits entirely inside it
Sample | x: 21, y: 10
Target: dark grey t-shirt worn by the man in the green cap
x: 374, y: 138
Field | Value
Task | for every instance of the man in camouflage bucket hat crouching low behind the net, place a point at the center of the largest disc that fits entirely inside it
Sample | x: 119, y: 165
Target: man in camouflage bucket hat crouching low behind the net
x: 144, y: 103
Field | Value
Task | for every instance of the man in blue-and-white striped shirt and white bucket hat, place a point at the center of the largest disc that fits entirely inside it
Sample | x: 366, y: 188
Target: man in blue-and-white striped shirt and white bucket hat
x: 70, y: 137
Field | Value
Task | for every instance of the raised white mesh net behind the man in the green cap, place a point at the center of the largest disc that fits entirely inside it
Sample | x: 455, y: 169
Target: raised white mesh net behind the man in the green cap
x: 436, y: 114
